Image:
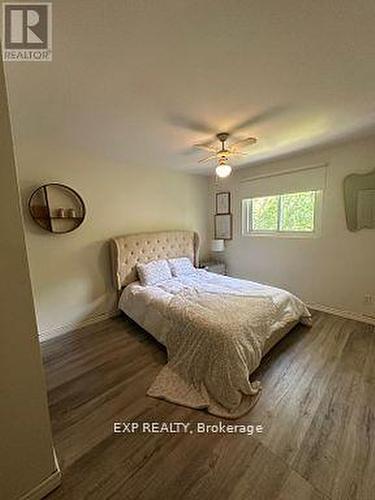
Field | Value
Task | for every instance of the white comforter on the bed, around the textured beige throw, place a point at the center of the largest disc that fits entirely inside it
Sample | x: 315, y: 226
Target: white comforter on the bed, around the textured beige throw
x: 144, y: 304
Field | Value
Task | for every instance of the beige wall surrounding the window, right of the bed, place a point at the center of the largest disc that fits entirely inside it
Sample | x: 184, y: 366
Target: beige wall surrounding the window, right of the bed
x: 335, y: 270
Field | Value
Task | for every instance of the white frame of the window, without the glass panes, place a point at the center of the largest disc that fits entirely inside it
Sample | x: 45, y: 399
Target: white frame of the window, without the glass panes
x: 247, y: 219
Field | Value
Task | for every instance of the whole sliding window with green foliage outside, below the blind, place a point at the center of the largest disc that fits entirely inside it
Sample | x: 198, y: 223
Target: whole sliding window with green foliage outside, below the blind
x: 291, y: 214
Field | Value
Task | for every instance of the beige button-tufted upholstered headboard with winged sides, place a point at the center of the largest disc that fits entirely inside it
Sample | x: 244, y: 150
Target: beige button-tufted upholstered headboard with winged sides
x: 129, y: 250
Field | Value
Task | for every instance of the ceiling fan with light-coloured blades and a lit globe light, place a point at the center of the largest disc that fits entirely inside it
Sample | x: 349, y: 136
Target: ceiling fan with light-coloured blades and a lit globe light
x: 225, y: 152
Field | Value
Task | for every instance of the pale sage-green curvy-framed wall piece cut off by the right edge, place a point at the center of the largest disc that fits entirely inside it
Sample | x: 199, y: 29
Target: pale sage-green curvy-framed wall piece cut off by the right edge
x: 359, y: 198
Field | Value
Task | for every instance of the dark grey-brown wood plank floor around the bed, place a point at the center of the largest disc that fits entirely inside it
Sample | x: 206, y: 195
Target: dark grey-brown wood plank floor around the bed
x: 317, y: 408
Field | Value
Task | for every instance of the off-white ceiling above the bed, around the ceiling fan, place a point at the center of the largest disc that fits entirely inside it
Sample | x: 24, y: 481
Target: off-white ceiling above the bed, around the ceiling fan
x: 127, y: 77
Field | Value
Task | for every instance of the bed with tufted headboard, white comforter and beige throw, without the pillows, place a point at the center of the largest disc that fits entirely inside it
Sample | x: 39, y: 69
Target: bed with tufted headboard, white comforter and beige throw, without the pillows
x: 216, y: 329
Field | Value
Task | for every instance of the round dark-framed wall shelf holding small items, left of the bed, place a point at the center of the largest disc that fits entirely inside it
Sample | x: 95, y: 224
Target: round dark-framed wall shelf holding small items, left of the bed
x: 57, y: 208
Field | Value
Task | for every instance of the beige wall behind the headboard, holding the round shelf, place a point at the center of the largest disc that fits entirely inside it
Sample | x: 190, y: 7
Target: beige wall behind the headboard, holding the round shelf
x: 71, y: 273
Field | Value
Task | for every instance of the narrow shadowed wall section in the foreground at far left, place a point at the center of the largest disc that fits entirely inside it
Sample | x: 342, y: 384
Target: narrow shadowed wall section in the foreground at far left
x: 26, y: 456
